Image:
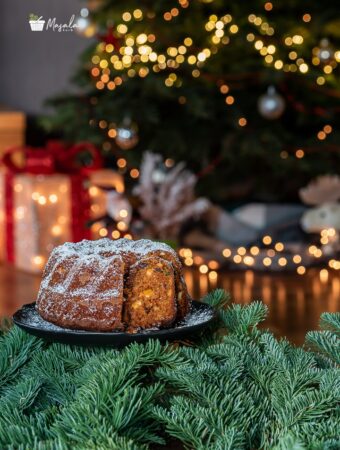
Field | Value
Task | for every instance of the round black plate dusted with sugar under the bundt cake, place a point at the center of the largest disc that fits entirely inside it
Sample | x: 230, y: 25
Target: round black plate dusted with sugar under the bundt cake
x: 27, y: 318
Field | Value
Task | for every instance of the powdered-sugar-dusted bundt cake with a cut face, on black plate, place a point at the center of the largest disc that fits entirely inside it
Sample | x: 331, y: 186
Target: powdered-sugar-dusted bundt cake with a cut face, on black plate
x: 109, y: 285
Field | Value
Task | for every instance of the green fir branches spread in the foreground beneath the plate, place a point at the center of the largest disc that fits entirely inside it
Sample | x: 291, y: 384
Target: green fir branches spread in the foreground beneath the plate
x: 238, y: 388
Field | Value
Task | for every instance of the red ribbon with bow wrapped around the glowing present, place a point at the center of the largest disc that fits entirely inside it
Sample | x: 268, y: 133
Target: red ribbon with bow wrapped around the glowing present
x: 55, y: 158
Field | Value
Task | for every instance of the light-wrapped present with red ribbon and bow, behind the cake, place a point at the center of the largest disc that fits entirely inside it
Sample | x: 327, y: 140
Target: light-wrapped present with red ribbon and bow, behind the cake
x: 48, y: 201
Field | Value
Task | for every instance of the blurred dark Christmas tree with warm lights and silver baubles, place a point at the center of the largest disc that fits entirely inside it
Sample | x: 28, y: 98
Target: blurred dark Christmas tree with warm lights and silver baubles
x: 245, y: 92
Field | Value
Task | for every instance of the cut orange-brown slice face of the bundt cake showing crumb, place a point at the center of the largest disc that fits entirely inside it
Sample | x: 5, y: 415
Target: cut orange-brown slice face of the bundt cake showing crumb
x: 150, y: 294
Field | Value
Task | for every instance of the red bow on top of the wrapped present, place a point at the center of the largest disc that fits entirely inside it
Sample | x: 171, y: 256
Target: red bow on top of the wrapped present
x: 55, y: 158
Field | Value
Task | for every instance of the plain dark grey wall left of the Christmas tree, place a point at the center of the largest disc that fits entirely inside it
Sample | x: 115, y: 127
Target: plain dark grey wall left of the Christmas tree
x: 36, y: 65
